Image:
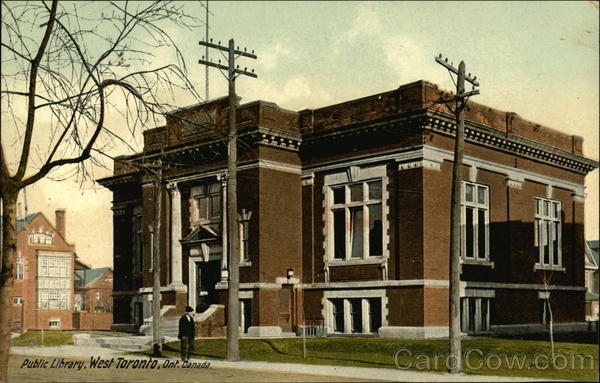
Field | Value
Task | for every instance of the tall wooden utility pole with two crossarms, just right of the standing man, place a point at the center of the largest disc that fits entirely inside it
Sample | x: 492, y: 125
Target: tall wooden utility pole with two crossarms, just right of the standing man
x: 233, y: 307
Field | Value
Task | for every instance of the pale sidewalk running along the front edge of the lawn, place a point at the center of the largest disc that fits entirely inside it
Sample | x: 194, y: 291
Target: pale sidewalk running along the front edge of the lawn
x: 383, y: 374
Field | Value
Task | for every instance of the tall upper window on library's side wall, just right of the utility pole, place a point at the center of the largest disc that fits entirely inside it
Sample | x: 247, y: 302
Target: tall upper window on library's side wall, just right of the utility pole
x: 475, y: 220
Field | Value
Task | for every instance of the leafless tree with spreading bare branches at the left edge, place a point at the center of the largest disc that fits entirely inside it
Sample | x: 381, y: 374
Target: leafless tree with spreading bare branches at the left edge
x: 64, y: 68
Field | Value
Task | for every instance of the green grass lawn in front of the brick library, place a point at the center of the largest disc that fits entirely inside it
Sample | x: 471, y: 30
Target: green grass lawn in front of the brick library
x: 488, y: 356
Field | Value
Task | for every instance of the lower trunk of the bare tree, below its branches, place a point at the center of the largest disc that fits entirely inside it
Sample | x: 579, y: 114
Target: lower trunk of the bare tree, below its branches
x: 9, y: 251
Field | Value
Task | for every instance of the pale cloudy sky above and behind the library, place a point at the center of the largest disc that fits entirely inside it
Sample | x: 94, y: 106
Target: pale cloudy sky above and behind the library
x: 538, y: 59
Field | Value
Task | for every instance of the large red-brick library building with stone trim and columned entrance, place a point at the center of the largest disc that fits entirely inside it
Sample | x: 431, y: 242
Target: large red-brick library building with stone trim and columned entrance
x: 344, y: 215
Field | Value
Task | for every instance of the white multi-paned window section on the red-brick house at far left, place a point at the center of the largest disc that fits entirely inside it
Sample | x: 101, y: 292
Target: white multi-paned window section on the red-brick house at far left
x: 54, y: 280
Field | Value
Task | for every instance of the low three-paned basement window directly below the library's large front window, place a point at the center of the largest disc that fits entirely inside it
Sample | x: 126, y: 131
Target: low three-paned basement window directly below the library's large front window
x: 355, y: 315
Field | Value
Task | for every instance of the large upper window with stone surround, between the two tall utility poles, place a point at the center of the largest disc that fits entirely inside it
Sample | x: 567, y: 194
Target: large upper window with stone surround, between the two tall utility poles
x: 357, y: 220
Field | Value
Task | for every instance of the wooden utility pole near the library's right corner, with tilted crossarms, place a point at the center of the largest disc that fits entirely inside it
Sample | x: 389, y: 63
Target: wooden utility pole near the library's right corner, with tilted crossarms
x: 460, y: 99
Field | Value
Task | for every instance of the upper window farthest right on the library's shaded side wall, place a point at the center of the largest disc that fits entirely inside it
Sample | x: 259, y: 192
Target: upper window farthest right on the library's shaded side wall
x: 547, y: 231
